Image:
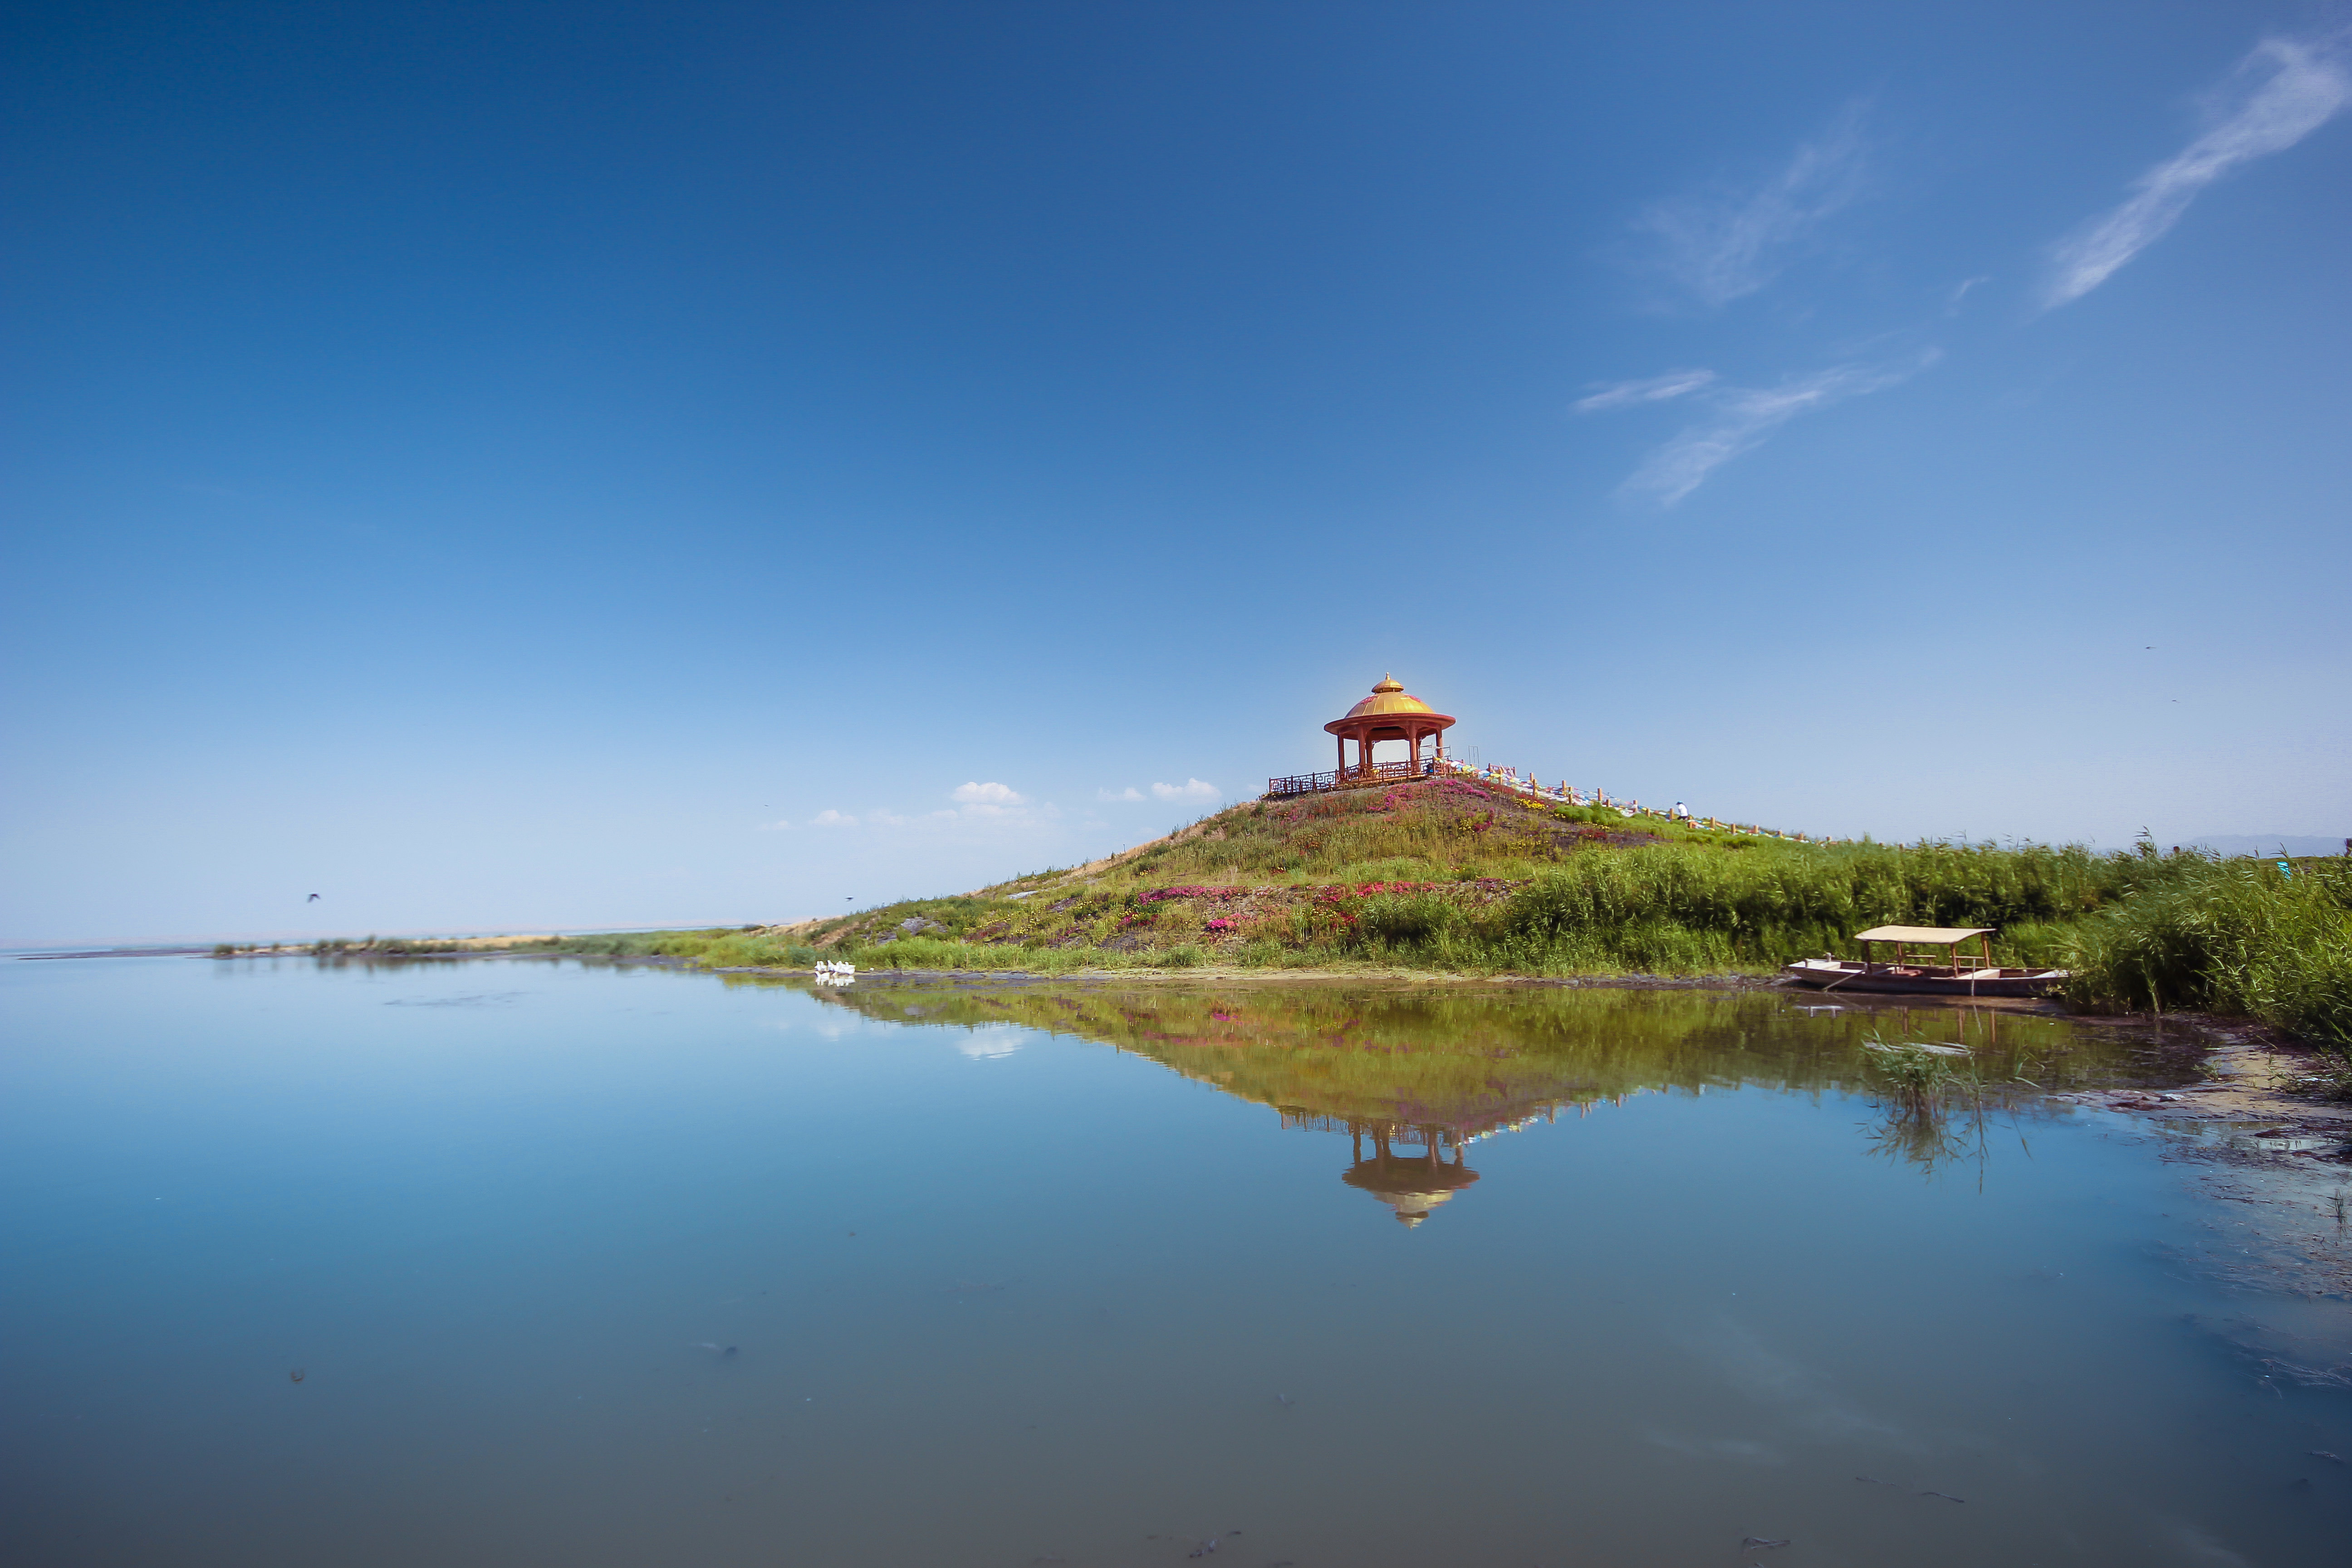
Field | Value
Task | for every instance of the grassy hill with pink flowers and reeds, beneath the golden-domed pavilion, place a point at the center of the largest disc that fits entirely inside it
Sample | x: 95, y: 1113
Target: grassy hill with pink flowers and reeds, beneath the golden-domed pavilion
x: 1466, y: 878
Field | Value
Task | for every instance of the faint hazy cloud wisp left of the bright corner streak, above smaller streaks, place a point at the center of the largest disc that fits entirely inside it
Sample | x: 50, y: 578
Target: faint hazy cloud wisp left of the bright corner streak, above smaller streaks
x: 1735, y: 241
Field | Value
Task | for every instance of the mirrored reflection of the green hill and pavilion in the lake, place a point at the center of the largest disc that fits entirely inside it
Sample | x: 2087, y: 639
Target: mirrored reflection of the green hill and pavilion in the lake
x: 1441, y: 1068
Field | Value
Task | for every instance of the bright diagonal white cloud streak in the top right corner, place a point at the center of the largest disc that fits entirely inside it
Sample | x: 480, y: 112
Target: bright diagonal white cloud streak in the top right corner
x: 2276, y: 98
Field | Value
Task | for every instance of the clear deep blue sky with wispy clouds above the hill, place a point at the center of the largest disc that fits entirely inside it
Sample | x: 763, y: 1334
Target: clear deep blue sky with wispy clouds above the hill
x: 580, y: 467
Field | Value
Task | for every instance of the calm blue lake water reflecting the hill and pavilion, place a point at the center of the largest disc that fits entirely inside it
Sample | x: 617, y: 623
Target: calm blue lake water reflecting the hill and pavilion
x: 627, y: 1266
